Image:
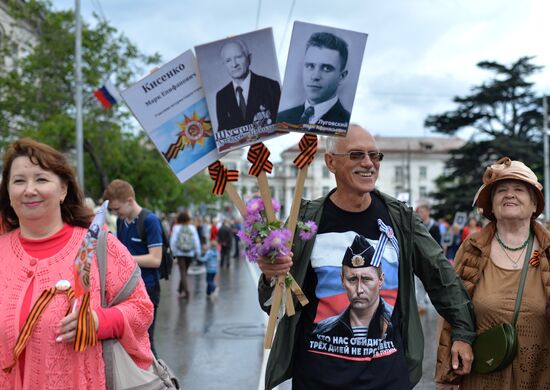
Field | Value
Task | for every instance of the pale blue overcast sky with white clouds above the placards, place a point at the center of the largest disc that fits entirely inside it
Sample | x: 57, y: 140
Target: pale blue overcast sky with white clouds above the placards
x: 419, y: 53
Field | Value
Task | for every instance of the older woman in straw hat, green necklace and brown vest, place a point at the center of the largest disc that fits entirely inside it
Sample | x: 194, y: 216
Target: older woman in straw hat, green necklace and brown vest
x: 490, y: 263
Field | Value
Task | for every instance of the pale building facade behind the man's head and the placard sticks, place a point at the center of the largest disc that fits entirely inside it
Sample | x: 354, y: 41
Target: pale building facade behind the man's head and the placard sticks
x: 408, y: 172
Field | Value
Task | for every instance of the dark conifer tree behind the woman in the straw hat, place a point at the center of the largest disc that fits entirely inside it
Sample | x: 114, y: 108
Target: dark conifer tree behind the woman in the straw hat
x: 506, y: 116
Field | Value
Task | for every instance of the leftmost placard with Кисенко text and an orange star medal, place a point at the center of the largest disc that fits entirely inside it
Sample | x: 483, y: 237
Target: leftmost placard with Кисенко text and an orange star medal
x: 171, y: 107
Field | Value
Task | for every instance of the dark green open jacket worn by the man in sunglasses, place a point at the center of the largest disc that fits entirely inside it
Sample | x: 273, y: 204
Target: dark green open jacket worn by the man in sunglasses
x: 419, y: 255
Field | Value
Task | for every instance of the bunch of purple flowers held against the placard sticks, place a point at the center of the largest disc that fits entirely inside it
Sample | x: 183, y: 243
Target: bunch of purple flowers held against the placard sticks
x: 269, y: 239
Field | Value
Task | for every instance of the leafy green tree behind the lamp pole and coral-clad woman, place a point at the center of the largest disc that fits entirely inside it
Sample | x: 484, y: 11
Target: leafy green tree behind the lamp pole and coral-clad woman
x: 37, y: 100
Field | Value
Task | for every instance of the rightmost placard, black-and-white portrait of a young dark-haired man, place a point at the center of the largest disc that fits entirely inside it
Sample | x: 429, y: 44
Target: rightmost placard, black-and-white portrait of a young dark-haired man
x: 321, y: 77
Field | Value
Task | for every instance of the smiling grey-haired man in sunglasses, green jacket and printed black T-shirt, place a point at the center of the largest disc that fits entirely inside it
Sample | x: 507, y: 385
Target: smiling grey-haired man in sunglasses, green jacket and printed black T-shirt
x: 403, y: 248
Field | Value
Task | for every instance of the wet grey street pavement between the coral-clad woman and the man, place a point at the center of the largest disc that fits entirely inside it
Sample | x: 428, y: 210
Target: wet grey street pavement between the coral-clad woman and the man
x: 218, y: 344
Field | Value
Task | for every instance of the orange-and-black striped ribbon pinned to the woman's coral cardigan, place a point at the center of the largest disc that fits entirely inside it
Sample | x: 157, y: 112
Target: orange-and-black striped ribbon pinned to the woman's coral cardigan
x: 36, y: 311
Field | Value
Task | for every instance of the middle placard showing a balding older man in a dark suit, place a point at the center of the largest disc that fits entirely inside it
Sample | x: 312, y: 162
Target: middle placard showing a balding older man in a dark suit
x: 241, y: 82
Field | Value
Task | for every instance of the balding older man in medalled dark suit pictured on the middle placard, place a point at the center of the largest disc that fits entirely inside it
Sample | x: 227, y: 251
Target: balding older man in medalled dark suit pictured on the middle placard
x: 248, y: 97
